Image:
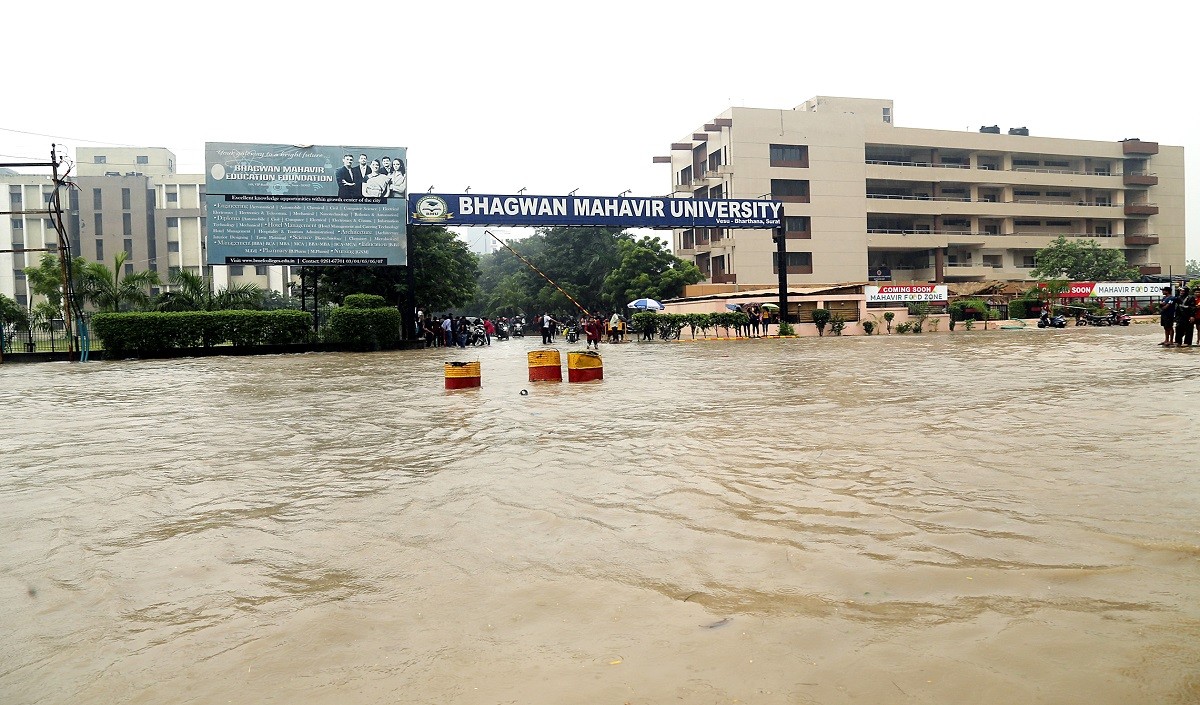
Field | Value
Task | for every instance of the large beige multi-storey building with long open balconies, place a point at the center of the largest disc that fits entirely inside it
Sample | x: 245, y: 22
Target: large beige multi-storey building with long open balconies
x: 866, y: 200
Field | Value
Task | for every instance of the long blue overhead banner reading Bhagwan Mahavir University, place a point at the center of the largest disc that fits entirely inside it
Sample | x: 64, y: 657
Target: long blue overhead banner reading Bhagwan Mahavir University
x: 470, y: 209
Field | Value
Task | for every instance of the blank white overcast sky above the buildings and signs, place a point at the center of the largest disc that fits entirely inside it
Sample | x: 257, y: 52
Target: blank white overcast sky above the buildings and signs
x: 557, y: 97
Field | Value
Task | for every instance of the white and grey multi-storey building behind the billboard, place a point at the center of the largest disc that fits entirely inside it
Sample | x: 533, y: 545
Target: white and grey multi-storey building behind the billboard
x: 127, y: 200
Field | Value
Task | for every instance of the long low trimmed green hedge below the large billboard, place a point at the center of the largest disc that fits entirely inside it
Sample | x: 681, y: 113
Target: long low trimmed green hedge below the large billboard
x: 149, y: 333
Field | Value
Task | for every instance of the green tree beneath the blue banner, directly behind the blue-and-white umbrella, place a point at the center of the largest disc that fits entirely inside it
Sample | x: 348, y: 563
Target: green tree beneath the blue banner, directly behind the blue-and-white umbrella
x: 647, y: 269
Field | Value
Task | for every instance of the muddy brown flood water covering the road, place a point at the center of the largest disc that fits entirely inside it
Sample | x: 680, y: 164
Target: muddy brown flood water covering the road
x: 969, y: 517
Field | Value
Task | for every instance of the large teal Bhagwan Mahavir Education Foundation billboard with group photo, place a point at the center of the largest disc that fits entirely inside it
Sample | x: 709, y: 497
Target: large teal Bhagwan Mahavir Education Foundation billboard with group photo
x: 307, y: 206
